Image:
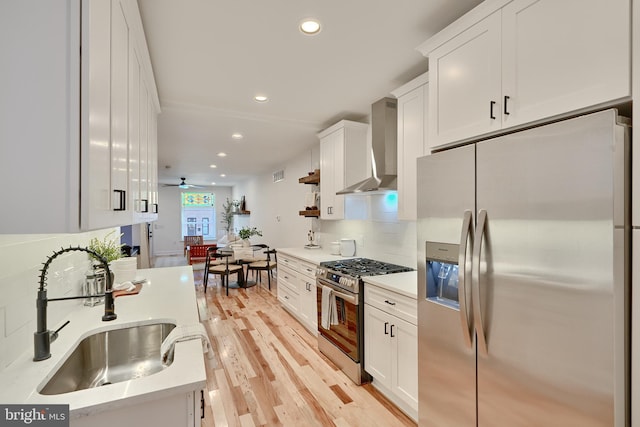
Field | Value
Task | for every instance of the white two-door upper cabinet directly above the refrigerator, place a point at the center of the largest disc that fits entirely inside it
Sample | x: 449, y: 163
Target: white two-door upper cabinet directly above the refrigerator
x: 510, y: 63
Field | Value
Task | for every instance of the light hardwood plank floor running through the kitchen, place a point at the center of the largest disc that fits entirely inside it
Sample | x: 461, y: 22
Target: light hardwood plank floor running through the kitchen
x: 268, y: 370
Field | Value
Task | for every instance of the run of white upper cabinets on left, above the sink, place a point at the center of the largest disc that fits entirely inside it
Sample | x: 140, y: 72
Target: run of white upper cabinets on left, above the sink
x: 65, y: 113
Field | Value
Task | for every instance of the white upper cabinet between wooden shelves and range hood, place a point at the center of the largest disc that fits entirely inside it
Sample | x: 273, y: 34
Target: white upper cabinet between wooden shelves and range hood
x: 343, y: 161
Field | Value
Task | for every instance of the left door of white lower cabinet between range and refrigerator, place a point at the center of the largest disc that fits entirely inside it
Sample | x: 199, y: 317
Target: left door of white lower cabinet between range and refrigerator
x: 377, y: 351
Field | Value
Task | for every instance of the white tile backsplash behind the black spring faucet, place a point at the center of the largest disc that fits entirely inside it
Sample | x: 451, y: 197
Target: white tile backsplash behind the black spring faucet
x: 22, y: 257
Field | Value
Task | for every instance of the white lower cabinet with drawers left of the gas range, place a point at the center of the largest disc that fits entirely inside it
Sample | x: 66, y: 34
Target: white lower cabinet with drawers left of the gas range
x: 297, y: 290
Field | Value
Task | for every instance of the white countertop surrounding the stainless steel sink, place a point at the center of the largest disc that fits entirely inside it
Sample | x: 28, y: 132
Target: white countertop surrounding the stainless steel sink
x: 168, y: 295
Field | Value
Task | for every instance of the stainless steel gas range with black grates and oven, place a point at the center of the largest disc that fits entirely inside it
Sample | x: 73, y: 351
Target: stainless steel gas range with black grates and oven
x: 341, y: 337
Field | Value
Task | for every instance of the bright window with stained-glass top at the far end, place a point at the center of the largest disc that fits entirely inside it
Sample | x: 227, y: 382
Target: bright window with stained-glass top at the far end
x: 199, y: 215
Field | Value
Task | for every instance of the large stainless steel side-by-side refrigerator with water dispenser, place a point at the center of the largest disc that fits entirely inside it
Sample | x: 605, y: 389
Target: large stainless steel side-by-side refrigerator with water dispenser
x: 523, y: 269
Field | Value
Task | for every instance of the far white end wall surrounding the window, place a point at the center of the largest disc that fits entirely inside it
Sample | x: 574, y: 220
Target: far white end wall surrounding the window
x: 167, y: 230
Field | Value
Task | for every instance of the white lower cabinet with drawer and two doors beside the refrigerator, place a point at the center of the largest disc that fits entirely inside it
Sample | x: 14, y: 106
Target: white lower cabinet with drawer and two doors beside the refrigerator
x: 391, y: 346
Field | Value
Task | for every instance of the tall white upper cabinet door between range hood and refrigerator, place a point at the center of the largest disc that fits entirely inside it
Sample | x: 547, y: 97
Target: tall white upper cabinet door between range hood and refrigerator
x: 411, y: 145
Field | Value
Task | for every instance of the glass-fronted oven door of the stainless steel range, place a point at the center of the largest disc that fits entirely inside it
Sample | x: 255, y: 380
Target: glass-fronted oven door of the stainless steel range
x: 346, y: 333
